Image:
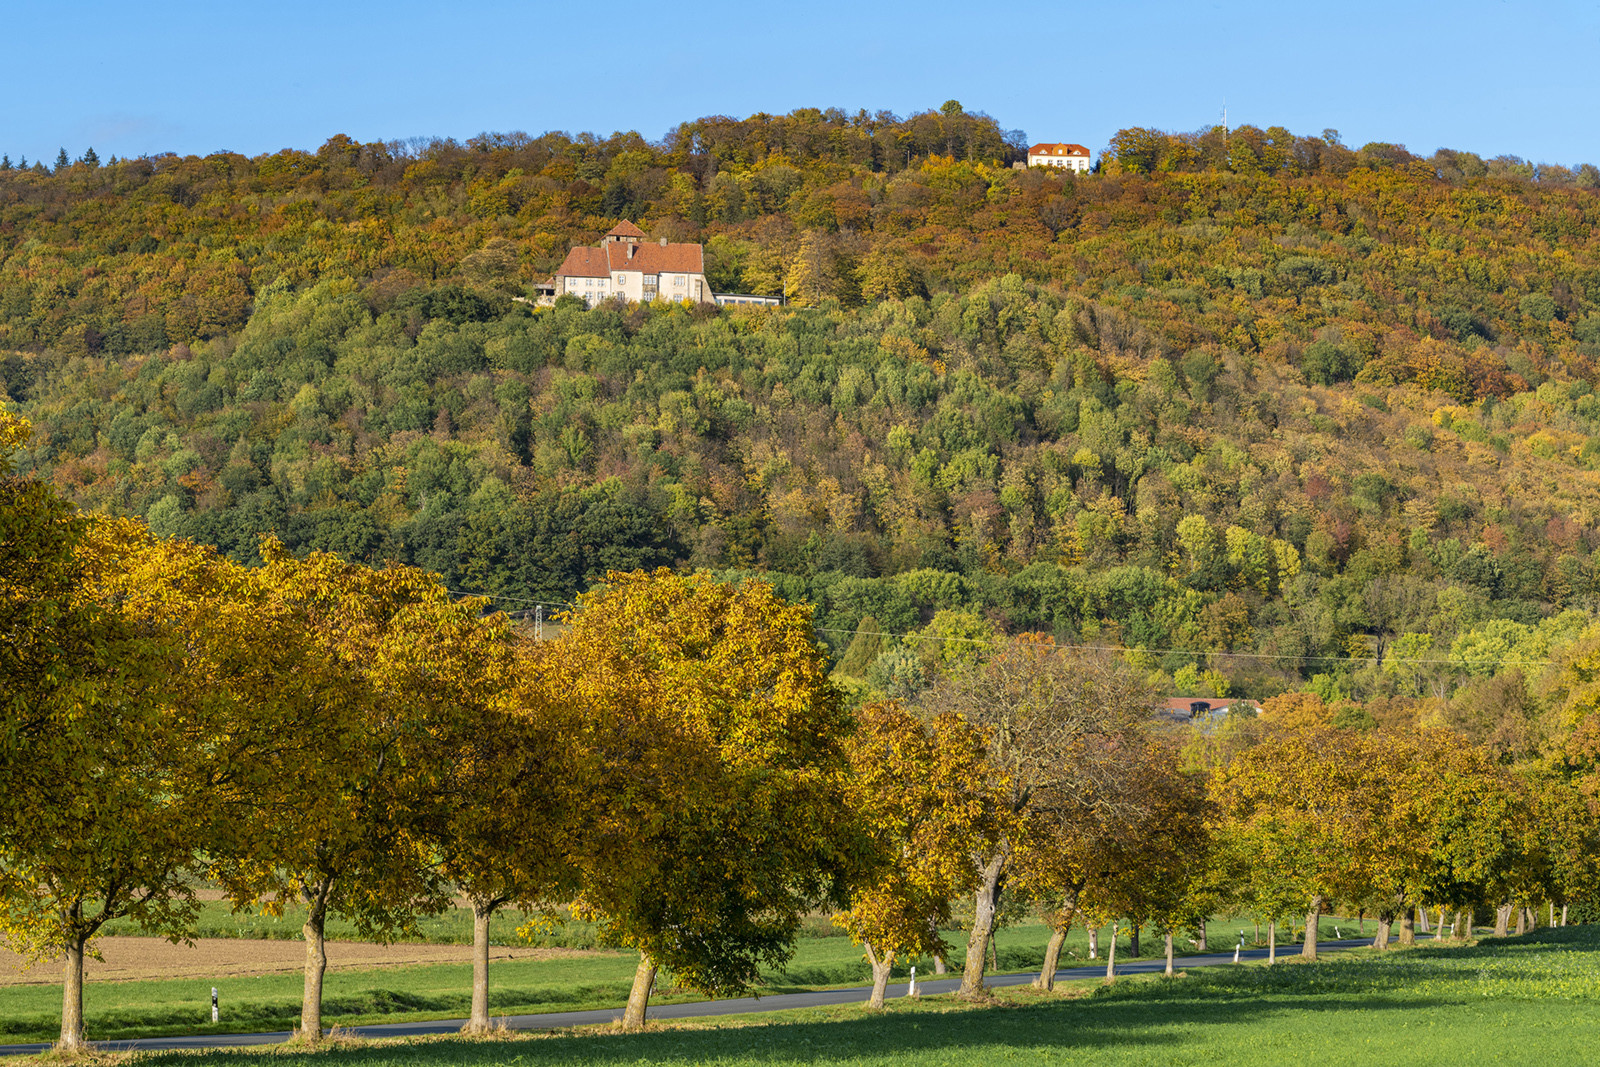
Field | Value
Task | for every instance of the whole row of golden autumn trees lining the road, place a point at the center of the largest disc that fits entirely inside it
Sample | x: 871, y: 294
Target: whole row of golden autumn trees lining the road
x: 676, y: 767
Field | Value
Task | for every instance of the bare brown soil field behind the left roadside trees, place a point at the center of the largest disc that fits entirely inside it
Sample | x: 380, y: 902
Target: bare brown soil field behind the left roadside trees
x: 135, y: 959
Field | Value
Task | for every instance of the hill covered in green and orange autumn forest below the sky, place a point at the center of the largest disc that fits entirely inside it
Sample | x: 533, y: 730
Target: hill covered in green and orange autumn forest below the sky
x: 1257, y: 394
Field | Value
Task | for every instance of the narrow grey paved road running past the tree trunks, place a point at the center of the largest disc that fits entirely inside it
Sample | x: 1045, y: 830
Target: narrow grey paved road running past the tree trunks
x: 742, y: 1005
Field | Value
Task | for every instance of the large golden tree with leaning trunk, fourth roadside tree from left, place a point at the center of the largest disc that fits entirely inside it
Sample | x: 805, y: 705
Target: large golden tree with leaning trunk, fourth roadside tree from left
x: 714, y: 735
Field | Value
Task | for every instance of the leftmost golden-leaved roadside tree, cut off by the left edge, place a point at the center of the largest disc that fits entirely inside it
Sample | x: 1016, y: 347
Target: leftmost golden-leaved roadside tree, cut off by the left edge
x: 105, y: 778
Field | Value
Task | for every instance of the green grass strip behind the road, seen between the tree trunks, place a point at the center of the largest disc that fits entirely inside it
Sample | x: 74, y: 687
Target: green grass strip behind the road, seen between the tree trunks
x: 596, y: 980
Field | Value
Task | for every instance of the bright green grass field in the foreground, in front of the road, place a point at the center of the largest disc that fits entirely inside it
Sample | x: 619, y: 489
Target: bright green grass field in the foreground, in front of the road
x: 1522, y: 1001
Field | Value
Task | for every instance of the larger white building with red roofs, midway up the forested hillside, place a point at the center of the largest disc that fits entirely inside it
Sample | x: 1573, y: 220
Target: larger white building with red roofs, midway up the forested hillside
x: 630, y: 266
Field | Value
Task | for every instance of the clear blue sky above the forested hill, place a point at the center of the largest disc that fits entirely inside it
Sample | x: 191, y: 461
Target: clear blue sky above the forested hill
x: 180, y: 76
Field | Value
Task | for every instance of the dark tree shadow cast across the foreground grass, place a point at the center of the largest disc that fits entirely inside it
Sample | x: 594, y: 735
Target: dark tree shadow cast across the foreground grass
x: 1166, y: 1015
